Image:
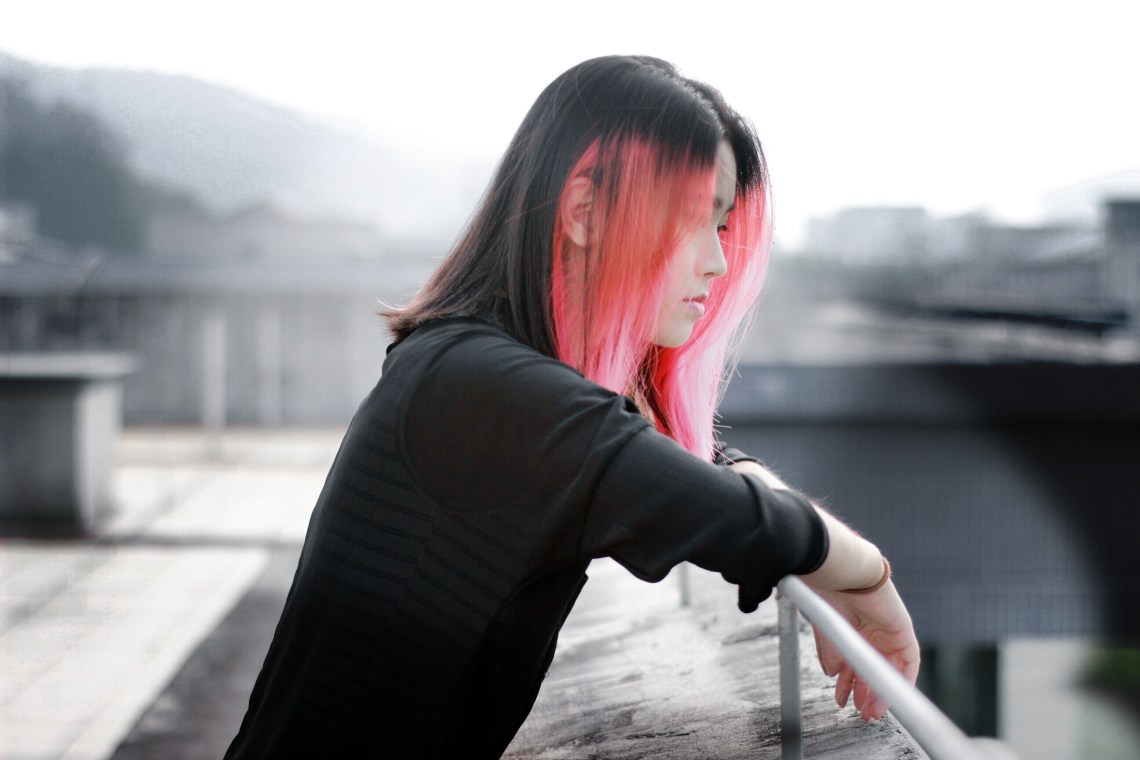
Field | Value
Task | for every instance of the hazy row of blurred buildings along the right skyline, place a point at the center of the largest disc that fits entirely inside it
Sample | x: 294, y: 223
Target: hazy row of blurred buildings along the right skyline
x: 1071, y: 275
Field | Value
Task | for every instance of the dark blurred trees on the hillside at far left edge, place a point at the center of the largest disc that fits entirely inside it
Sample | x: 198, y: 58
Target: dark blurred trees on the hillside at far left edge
x: 72, y: 170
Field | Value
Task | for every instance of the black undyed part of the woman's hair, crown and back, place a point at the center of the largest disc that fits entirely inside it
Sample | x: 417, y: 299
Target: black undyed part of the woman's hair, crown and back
x: 500, y: 269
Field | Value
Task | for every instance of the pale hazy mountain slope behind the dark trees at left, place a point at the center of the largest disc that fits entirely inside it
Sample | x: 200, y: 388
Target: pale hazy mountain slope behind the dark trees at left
x: 233, y: 151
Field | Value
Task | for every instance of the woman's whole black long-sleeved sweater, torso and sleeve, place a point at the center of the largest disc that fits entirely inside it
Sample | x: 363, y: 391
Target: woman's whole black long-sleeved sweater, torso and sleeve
x: 452, y: 538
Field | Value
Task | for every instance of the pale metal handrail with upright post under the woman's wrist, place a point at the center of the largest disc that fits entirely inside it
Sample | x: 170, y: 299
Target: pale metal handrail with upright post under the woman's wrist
x: 933, y: 731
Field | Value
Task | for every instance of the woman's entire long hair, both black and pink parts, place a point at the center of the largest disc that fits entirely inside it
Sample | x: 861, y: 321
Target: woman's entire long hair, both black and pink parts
x: 647, y: 138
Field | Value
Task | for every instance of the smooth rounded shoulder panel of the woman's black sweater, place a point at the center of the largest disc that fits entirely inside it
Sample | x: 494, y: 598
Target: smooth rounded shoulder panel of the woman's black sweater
x: 490, y: 420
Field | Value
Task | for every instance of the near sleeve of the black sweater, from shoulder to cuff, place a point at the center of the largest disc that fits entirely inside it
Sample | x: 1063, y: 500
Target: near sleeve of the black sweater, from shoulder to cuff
x: 495, y: 424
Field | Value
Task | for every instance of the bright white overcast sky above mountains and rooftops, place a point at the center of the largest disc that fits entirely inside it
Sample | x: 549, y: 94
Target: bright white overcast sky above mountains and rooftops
x: 956, y: 107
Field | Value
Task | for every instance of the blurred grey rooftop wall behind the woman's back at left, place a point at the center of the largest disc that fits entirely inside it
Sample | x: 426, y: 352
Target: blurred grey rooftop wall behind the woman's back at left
x: 219, y: 342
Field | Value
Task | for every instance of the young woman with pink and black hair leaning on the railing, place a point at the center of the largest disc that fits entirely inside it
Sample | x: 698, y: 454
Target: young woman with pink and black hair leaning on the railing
x: 550, y: 399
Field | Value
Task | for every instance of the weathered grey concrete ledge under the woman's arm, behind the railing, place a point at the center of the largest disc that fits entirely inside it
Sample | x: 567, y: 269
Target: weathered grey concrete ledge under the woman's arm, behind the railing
x: 638, y: 676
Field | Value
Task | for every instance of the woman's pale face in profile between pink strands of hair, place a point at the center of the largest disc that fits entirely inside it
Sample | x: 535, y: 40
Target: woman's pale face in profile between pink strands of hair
x: 697, y: 263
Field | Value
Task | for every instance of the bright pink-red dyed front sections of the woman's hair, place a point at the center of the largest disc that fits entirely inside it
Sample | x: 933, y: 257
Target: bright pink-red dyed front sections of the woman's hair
x: 606, y: 300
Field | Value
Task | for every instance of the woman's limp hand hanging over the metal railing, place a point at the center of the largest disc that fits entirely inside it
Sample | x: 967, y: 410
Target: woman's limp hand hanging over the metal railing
x: 883, y: 620
